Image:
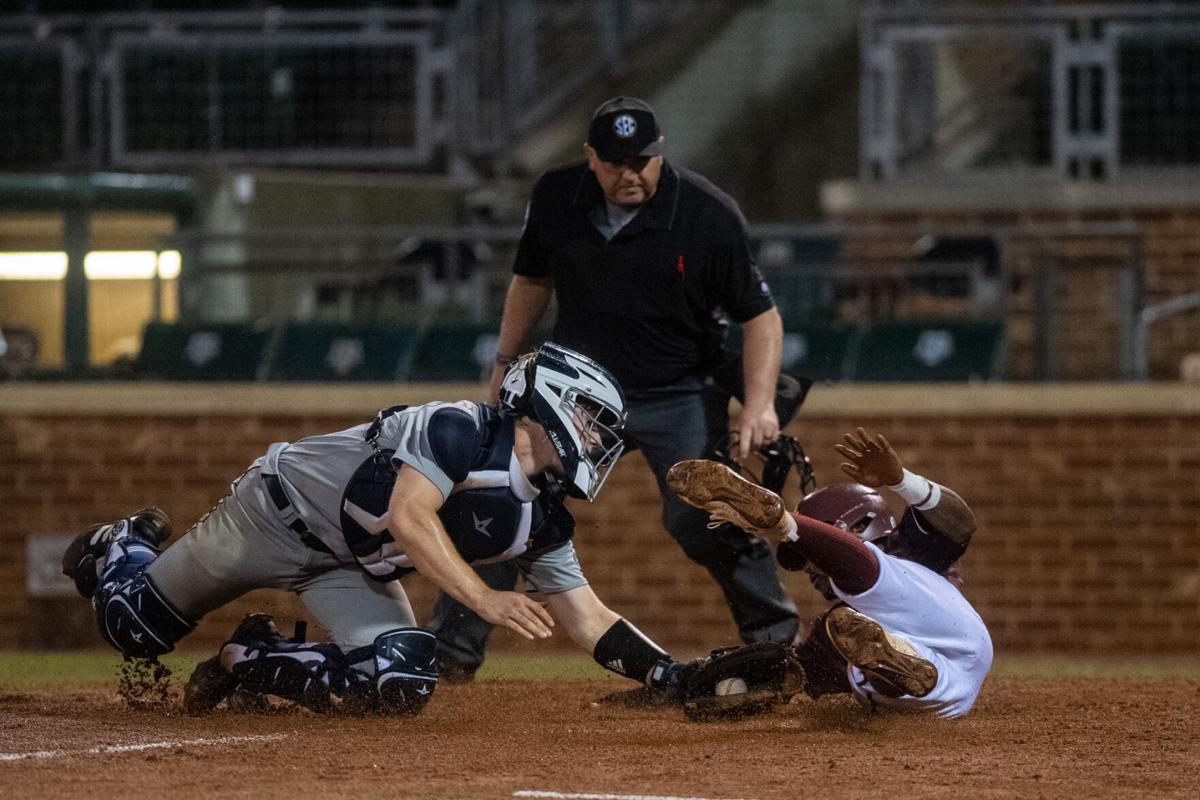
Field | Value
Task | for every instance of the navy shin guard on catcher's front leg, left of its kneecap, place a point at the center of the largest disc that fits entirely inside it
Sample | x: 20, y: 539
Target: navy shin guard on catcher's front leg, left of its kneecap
x: 265, y: 663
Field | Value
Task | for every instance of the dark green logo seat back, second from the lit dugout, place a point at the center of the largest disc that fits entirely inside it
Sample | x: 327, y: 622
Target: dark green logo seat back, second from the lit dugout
x: 339, y: 352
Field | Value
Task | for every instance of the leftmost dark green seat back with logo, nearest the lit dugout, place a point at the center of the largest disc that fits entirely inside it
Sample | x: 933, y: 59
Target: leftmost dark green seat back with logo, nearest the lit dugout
x: 196, y: 352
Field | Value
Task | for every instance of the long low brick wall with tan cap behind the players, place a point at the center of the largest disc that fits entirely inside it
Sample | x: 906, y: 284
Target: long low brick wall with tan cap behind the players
x: 1088, y: 500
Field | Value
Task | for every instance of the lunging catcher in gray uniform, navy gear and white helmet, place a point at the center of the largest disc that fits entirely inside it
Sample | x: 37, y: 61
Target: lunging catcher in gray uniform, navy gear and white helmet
x: 340, y: 519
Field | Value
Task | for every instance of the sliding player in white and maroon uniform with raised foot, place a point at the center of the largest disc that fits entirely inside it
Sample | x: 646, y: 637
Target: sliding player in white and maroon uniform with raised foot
x: 902, y: 636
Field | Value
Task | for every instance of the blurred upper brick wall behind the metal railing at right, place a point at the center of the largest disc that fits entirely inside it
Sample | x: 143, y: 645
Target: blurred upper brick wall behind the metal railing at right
x: 1084, y: 334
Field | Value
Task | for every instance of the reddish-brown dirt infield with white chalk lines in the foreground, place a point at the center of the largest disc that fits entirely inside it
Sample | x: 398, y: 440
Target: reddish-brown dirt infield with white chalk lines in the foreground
x: 1027, y: 738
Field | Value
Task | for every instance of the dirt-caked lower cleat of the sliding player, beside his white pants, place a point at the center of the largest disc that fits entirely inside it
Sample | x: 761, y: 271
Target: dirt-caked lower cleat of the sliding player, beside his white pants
x: 891, y: 664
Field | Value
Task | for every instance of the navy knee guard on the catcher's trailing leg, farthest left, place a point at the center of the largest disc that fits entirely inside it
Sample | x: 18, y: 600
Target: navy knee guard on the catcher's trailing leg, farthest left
x: 135, y: 618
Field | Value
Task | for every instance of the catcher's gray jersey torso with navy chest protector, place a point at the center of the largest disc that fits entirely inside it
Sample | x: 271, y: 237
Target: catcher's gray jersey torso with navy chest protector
x: 340, y: 485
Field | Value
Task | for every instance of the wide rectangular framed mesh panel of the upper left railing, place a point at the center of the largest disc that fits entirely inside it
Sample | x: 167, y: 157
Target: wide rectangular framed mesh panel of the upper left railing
x: 296, y: 99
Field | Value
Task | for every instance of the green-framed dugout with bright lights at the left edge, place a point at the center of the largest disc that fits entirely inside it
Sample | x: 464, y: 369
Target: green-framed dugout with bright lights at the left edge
x: 81, y: 258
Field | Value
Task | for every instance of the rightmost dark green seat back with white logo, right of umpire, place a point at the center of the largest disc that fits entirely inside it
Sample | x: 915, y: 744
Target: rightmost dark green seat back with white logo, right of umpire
x: 934, y: 350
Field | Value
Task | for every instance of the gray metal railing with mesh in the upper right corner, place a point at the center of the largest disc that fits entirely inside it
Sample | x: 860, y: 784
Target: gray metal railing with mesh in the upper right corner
x: 1081, y: 92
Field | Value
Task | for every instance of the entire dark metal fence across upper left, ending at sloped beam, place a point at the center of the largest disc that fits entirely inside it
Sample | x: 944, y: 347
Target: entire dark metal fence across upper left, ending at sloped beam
x: 355, y: 88
